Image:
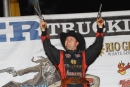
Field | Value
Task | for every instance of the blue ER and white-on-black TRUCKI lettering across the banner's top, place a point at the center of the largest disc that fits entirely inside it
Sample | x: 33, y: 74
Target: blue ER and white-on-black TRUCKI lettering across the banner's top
x: 118, y: 26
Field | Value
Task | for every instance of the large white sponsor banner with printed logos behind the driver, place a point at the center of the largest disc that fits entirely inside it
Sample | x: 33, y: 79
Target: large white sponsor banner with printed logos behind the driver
x: 21, y: 47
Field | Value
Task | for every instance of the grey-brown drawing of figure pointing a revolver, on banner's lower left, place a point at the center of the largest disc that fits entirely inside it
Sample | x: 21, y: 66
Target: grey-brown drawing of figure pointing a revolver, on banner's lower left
x: 40, y: 79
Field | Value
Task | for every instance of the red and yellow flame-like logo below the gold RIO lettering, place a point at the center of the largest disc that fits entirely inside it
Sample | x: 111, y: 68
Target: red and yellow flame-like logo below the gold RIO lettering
x: 122, y: 68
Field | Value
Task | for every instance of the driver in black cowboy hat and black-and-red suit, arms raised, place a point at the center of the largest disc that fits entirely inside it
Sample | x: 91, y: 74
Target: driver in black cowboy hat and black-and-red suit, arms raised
x: 73, y: 62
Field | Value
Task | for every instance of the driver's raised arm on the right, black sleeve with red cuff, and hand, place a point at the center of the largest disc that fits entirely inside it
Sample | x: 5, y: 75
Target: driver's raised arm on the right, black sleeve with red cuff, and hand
x: 93, y: 51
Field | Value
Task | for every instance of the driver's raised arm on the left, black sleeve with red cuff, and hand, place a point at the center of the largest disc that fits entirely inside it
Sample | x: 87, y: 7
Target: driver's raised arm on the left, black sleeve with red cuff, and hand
x: 52, y: 52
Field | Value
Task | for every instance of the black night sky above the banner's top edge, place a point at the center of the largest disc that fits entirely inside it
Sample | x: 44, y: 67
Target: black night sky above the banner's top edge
x: 71, y: 6
